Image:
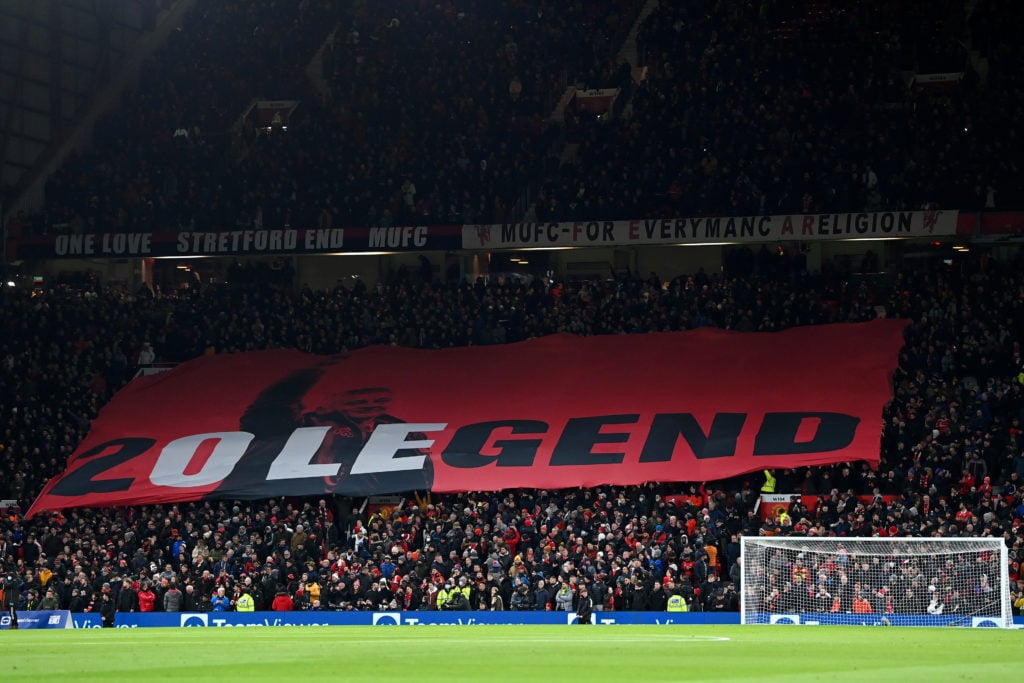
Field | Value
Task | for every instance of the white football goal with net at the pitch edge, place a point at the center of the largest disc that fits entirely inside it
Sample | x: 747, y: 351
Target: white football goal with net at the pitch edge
x: 877, y: 581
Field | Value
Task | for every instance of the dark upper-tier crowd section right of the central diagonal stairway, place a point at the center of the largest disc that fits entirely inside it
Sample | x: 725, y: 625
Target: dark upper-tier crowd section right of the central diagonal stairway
x: 791, y: 107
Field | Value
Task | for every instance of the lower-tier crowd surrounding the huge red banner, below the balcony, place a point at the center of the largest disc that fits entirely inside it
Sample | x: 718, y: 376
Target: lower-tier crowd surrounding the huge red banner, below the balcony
x: 952, y: 458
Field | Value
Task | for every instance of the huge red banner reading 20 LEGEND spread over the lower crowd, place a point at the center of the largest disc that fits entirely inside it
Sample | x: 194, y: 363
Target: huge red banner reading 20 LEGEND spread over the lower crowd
x: 549, y: 413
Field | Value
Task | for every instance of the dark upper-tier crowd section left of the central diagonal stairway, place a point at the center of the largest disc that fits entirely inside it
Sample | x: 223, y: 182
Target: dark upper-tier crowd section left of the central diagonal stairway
x: 424, y: 114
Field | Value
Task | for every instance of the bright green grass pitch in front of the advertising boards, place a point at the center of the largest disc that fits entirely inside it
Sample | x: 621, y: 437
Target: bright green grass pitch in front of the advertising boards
x: 524, y: 654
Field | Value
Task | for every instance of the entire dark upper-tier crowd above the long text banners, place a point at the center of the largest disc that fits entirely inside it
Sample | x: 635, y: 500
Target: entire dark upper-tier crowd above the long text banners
x: 433, y: 114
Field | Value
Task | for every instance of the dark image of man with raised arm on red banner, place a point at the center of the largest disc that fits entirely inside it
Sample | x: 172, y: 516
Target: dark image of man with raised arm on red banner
x: 352, y: 415
